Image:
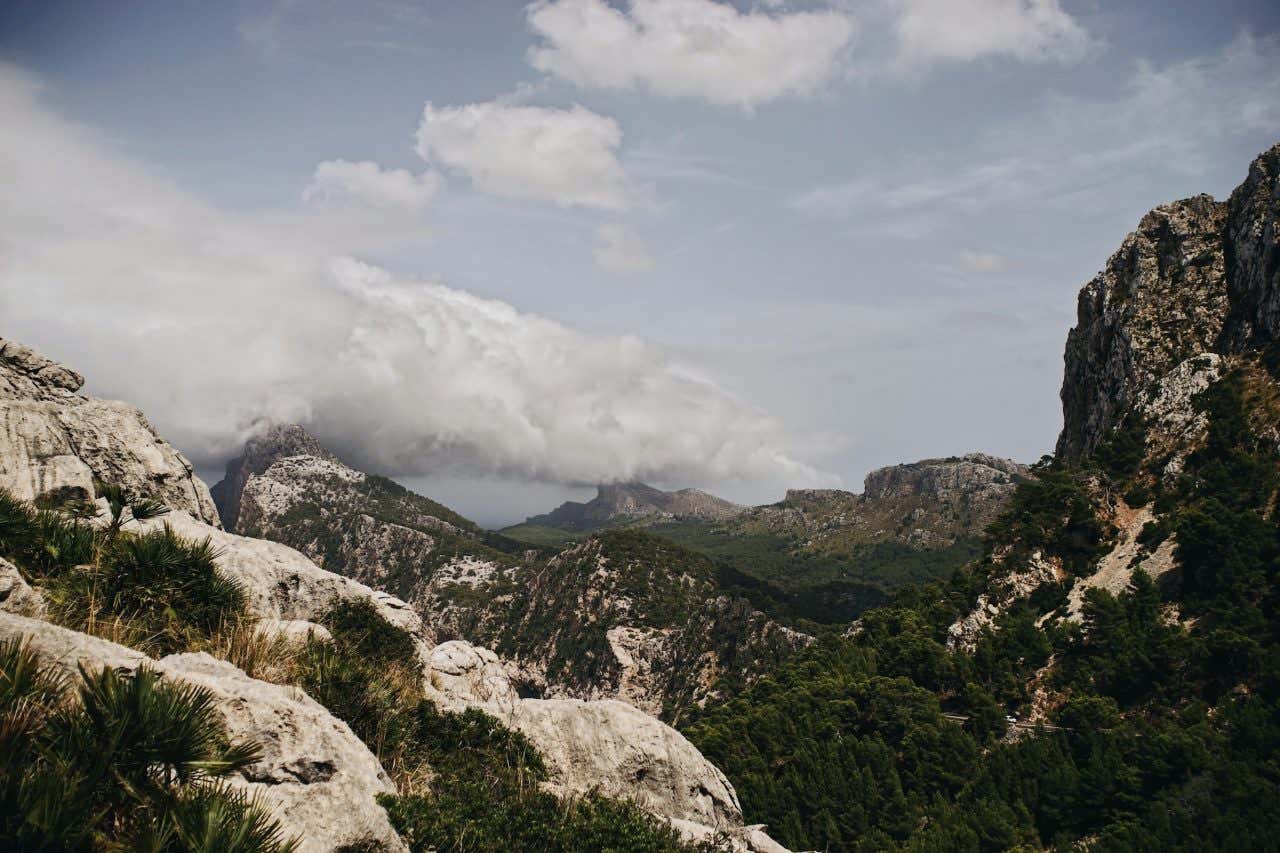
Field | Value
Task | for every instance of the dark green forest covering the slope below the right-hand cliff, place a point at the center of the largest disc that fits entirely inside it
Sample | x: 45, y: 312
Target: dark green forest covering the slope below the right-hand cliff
x: 1169, y: 732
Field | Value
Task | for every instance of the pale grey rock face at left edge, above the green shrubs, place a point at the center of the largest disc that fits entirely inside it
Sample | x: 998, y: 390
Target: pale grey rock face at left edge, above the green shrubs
x: 56, y: 443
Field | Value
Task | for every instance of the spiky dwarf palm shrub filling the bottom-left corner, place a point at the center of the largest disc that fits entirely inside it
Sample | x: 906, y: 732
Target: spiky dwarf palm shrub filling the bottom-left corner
x: 132, y: 763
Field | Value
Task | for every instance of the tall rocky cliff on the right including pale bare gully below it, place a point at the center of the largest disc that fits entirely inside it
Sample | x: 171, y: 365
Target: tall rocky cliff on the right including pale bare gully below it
x: 1188, y: 303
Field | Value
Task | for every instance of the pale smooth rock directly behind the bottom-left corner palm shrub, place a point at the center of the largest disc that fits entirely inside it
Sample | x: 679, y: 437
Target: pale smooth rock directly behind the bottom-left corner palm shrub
x: 317, y: 777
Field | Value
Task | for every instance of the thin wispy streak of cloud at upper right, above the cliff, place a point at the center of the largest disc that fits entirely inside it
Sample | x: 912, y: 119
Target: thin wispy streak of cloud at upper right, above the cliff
x: 1075, y: 152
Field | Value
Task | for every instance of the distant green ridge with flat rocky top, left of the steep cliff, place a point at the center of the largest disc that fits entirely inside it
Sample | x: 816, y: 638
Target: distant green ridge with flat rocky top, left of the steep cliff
x: 822, y: 556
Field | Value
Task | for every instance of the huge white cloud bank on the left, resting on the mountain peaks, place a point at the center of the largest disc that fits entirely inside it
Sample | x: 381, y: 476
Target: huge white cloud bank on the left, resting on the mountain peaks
x: 213, y: 323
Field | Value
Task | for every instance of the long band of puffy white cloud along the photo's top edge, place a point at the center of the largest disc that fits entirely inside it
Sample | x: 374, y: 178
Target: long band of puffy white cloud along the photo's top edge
x: 712, y: 52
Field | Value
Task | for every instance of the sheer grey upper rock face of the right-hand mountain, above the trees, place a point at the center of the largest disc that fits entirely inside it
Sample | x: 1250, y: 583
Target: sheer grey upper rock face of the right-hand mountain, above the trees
x: 1197, y: 279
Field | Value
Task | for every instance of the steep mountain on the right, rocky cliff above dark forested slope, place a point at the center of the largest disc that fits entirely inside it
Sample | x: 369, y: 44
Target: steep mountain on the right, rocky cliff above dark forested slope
x: 1124, y: 610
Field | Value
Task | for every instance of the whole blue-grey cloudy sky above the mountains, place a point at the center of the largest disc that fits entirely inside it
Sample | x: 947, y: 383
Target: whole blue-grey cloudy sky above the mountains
x: 504, y: 252
